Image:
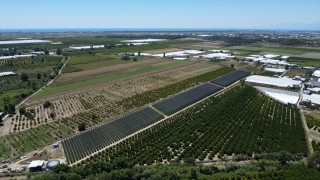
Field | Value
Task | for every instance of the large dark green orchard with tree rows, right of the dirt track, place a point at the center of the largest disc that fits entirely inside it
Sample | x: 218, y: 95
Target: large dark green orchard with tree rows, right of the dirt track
x: 252, y: 124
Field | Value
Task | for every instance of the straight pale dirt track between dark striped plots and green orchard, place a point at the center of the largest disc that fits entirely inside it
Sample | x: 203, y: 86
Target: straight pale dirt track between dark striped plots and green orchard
x: 164, y: 119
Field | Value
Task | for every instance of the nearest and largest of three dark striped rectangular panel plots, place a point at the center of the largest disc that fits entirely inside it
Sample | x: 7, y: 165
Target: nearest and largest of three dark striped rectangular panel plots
x: 83, y: 144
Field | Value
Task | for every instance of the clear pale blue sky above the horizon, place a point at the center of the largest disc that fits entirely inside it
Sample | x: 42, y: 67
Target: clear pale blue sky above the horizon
x: 205, y: 14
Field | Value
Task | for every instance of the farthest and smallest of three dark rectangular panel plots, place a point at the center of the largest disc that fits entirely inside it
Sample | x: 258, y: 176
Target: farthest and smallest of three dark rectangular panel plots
x: 230, y: 78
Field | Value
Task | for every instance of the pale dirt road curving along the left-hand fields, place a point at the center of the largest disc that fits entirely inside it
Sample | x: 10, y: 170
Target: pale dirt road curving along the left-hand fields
x: 5, y: 129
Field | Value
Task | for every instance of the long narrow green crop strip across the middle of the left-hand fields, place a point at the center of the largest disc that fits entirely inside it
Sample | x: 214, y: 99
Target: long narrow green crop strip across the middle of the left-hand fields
x: 104, y: 78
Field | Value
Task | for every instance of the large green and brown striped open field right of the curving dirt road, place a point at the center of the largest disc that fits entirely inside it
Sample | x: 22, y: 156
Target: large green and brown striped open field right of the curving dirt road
x: 108, y: 70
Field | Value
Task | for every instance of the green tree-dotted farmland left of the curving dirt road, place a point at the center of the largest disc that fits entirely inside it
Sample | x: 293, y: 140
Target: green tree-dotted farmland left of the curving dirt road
x: 39, y: 70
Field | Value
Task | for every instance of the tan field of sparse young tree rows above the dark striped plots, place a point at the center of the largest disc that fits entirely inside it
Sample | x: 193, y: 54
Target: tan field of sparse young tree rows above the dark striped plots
x: 110, y: 101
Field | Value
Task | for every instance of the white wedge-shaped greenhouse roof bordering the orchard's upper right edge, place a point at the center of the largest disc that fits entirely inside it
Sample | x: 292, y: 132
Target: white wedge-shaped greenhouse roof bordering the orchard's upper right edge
x: 280, y: 95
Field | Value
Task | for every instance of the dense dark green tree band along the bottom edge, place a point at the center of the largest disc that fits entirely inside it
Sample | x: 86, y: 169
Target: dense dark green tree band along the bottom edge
x: 120, y: 169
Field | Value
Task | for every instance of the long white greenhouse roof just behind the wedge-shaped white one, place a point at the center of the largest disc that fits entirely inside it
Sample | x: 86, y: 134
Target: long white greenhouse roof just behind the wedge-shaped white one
x: 280, y: 82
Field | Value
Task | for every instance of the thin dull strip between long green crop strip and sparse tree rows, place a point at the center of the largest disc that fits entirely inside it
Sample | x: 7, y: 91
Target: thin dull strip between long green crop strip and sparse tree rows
x: 99, y: 85
